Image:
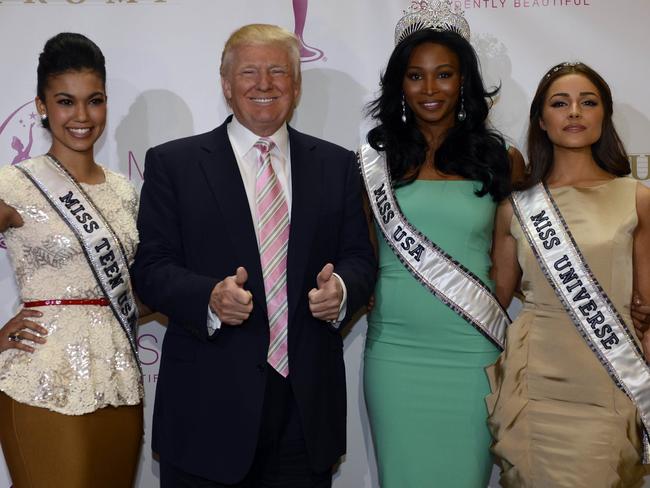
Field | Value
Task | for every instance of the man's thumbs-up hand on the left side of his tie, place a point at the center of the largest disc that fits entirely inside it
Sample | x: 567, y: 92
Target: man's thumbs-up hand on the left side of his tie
x: 230, y: 301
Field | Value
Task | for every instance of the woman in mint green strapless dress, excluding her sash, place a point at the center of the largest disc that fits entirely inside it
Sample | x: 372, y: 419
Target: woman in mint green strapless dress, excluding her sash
x: 424, y: 375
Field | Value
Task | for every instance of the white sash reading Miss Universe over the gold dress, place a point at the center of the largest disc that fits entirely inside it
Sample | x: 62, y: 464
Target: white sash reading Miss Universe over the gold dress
x: 585, y: 301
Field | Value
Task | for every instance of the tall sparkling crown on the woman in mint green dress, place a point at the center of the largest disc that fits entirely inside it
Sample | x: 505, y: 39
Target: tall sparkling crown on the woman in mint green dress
x: 440, y: 15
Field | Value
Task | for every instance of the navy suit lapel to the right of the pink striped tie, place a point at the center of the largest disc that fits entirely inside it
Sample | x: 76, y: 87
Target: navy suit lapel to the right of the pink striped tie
x: 306, y: 177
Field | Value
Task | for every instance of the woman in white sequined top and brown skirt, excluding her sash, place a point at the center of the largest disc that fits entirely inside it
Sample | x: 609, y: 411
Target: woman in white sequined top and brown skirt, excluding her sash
x: 70, y: 384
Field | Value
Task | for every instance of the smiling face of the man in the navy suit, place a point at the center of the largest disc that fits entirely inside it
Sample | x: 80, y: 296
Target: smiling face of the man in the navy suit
x: 261, y: 86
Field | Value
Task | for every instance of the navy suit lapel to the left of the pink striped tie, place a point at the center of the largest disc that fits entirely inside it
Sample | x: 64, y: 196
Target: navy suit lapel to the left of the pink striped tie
x: 222, y: 173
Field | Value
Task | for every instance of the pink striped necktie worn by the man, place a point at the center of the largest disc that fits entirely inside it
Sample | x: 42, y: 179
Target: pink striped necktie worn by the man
x: 273, y: 228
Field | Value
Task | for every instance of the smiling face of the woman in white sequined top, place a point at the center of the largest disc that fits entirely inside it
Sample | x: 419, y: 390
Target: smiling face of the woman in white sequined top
x: 75, y: 104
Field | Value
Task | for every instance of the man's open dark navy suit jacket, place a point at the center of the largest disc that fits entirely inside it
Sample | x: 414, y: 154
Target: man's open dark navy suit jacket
x: 196, y: 229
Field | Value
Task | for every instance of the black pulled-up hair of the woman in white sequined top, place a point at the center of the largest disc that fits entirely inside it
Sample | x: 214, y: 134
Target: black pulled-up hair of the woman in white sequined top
x: 64, y: 52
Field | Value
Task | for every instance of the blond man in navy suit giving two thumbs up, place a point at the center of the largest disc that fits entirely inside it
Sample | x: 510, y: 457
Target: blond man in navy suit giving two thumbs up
x: 255, y: 245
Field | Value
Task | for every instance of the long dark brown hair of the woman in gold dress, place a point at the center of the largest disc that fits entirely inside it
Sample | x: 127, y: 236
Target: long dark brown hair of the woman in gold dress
x: 608, y: 152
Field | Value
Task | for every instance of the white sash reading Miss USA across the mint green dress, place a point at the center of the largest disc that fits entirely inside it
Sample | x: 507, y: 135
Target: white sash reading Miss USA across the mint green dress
x: 437, y: 271
